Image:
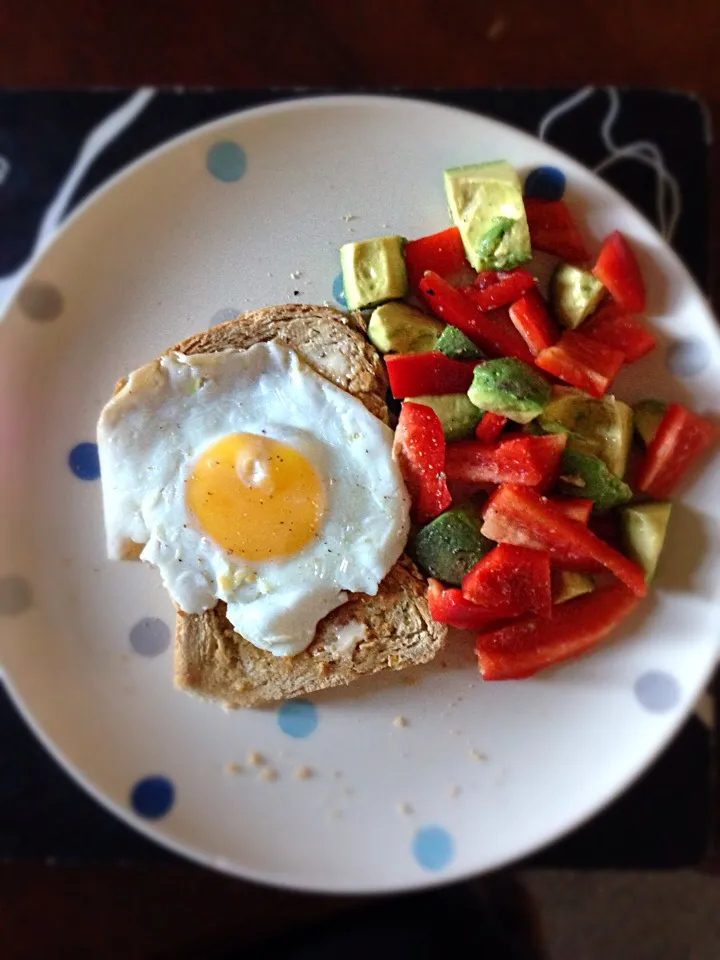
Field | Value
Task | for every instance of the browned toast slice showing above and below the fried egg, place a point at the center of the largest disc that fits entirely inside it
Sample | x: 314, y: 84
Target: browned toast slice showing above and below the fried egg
x: 392, y: 630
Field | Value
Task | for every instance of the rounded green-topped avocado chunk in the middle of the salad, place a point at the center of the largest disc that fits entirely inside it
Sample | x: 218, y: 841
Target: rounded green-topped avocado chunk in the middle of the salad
x: 509, y: 387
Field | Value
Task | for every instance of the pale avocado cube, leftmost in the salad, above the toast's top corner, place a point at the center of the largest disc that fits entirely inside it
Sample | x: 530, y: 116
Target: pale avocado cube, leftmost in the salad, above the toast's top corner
x: 373, y: 271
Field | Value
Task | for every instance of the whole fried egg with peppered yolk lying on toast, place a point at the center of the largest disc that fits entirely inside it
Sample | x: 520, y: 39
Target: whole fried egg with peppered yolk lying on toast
x: 245, y: 476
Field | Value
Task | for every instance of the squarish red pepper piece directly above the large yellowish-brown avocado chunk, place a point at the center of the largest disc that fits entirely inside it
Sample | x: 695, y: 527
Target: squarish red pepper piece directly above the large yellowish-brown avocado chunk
x: 582, y: 362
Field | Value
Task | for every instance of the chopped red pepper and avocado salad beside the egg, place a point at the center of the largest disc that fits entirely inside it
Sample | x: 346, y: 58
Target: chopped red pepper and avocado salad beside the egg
x: 540, y: 501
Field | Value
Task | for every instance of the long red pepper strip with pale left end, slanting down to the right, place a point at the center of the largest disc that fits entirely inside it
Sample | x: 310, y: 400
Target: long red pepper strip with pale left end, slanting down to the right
x: 521, y: 516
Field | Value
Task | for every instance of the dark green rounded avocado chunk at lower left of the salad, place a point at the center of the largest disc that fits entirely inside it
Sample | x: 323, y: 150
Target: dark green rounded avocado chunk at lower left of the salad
x: 451, y: 544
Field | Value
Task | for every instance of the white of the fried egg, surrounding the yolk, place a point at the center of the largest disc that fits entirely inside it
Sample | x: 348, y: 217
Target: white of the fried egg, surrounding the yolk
x: 168, y: 412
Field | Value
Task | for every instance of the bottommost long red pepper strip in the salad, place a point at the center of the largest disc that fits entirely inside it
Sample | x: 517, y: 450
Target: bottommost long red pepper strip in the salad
x: 522, y: 648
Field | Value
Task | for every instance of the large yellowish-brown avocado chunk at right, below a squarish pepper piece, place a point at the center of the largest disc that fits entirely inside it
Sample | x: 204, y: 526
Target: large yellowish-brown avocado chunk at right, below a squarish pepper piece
x: 602, y: 427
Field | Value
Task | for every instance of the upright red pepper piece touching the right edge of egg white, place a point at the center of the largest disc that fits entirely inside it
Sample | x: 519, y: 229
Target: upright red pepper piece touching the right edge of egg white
x: 419, y: 448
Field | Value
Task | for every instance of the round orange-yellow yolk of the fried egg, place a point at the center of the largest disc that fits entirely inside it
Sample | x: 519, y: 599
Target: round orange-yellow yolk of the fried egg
x: 256, y: 497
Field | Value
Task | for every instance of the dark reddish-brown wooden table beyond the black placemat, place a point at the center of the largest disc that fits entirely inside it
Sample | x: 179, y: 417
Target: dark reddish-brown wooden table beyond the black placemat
x: 163, y: 911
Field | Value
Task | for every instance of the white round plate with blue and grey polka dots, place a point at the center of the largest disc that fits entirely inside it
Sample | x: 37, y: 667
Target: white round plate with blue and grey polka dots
x: 489, y: 772
